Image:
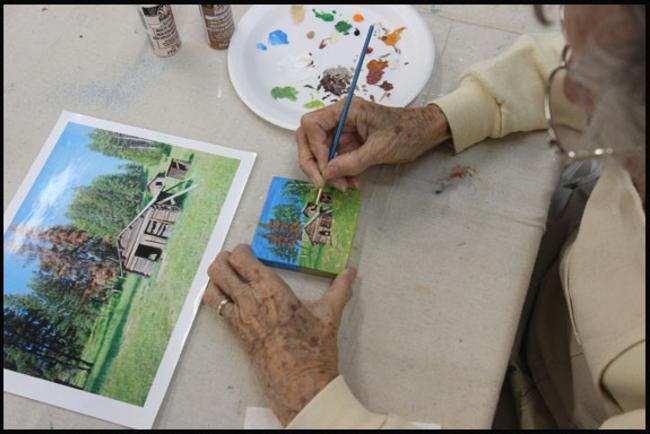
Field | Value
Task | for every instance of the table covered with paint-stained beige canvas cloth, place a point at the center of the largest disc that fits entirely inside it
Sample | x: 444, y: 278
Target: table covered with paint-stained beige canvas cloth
x: 442, y: 278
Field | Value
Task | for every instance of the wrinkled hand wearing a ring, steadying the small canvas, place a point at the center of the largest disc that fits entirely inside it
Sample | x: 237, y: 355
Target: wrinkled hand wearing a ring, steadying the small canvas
x: 292, y: 342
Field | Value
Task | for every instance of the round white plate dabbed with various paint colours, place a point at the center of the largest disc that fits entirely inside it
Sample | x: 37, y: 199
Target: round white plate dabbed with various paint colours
x: 285, y: 60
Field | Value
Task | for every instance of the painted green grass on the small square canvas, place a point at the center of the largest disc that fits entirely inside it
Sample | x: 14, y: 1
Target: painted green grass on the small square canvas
x: 332, y: 258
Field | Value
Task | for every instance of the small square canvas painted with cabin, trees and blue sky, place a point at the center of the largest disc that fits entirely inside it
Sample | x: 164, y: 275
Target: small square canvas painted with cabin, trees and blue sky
x: 296, y: 234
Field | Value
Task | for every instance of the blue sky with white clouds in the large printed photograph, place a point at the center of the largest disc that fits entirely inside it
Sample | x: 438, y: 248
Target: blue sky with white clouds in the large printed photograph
x: 71, y: 164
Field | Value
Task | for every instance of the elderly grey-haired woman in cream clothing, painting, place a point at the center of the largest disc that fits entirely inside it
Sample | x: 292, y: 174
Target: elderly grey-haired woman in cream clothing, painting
x: 582, y: 361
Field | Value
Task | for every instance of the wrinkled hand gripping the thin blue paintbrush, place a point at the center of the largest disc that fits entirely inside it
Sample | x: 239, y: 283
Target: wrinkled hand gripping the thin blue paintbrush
x: 372, y: 134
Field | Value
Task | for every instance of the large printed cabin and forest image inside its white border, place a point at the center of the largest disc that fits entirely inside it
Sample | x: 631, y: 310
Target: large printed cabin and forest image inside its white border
x: 101, y: 254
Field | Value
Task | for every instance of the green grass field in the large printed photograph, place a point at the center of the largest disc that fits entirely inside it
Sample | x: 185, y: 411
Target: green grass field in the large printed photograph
x: 133, y: 344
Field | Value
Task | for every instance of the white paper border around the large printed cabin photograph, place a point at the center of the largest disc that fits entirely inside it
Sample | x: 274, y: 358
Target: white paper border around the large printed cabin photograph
x: 89, y: 403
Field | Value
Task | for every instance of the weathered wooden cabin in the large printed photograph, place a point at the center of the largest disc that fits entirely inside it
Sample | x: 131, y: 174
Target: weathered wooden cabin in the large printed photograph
x: 141, y: 243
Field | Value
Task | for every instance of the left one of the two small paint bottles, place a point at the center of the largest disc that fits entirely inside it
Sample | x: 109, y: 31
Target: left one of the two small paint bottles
x: 158, y: 21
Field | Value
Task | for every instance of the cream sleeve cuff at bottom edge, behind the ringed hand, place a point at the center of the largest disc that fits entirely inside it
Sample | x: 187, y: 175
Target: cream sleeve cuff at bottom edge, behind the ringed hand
x: 336, y: 407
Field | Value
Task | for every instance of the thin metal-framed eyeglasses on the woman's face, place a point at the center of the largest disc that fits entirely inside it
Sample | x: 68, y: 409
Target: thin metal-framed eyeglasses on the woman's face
x: 563, y: 147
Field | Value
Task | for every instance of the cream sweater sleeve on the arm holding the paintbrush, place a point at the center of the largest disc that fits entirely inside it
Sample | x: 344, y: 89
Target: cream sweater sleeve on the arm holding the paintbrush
x: 505, y: 94
